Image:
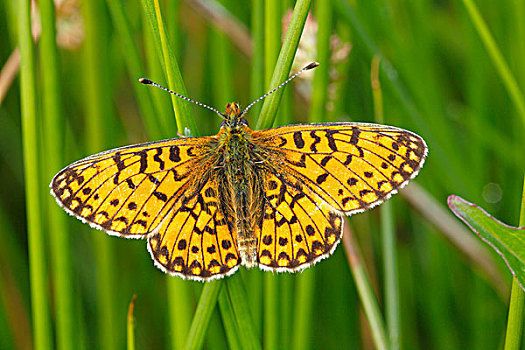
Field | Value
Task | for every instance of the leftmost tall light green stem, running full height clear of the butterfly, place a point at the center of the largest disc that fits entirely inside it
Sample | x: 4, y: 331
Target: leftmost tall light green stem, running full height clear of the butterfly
x: 37, y: 261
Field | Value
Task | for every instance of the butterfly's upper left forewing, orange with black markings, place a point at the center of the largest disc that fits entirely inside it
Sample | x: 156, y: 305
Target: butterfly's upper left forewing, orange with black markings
x: 128, y: 191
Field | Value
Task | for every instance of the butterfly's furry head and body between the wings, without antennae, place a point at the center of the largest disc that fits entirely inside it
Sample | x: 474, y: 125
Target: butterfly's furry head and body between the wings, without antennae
x: 239, y: 182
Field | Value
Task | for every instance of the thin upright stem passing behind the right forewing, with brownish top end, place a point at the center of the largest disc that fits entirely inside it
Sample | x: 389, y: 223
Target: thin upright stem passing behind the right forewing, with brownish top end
x: 391, y: 285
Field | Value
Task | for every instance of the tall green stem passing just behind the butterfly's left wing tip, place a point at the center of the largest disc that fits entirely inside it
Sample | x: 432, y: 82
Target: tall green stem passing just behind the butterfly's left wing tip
x: 54, y: 151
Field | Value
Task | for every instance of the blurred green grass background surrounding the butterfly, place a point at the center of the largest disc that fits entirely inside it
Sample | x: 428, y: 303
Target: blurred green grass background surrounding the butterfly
x: 64, y: 285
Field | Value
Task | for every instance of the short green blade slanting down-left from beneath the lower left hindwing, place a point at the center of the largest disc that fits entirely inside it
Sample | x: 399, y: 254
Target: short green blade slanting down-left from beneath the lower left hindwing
x: 202, y: 317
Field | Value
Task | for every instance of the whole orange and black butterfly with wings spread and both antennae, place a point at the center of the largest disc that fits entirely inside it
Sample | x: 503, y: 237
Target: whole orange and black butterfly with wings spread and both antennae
x: 270, y: 198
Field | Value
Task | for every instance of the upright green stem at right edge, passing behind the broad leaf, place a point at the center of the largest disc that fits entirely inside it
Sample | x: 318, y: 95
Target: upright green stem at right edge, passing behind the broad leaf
x: 517, y: 299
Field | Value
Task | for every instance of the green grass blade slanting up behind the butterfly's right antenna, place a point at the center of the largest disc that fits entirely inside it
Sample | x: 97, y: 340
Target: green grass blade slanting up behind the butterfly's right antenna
x: 284, y: 63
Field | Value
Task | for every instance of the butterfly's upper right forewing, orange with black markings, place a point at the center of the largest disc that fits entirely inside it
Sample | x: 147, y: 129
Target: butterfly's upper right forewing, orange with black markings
x: 350, y: 166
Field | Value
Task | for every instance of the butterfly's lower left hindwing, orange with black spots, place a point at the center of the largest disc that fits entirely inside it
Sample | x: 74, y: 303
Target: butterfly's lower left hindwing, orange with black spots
x: 194, y: 240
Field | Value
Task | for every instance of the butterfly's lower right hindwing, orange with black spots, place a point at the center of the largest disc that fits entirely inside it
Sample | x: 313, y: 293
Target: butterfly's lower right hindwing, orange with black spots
x: 297, y: 229
